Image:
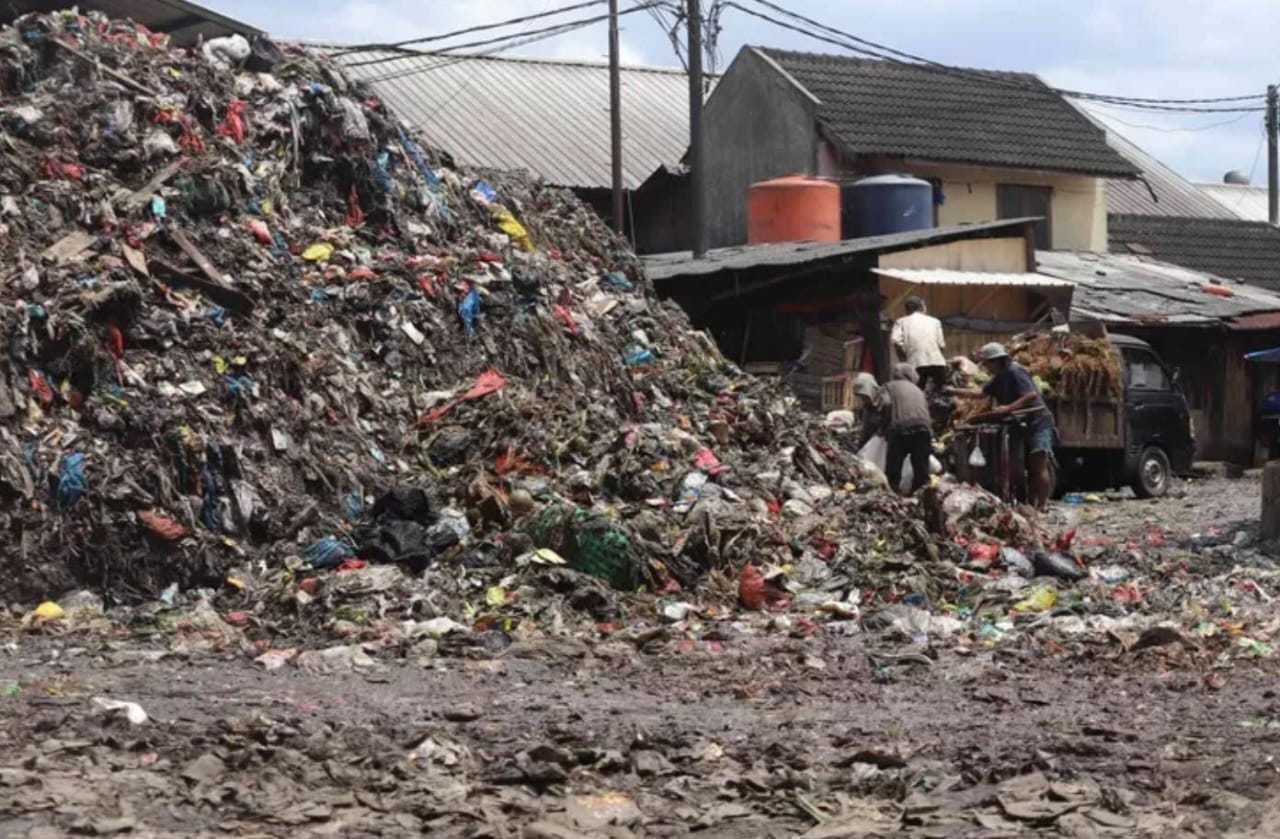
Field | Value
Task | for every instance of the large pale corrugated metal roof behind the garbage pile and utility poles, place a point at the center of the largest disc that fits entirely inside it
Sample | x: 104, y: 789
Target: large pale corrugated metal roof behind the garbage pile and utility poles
x: 551, y: 118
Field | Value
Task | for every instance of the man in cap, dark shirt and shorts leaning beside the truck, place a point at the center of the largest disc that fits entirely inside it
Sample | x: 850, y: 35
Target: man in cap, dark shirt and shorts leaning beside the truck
x: 1013, y: 390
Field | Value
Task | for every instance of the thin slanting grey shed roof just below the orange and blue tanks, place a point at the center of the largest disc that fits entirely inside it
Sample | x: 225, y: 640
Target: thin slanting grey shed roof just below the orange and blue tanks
x: 661, y: 267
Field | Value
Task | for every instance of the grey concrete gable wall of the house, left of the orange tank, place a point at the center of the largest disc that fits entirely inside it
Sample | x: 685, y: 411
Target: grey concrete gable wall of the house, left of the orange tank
x: 758, y: 126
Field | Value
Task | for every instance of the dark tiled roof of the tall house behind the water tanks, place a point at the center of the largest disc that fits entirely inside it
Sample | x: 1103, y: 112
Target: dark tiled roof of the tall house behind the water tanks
x: 979, y: 117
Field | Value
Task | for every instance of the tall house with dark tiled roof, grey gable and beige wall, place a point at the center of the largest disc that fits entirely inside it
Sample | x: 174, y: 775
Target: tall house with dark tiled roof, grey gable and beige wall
x: 996, y: 145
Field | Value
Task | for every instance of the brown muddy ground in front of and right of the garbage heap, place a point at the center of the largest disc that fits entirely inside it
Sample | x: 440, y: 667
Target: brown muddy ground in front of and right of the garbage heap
x: 771, y: 735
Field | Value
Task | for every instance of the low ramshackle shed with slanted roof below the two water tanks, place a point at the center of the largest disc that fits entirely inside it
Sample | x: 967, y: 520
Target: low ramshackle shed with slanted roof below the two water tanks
x: 774, y: 308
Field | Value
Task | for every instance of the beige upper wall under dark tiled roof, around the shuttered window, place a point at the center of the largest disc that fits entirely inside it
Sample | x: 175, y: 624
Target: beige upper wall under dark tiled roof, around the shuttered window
x: 1080, y: 211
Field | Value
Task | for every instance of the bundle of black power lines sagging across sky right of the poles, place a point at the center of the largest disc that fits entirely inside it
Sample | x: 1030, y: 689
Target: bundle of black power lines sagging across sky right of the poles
x: 872, y: 49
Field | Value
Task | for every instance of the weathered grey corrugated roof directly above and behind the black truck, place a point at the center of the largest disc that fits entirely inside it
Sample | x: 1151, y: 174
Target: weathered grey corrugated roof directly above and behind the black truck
x: 1135, y: 290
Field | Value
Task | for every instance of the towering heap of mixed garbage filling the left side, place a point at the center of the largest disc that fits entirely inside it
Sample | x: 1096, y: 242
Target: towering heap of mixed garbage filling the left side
x: 252, y: 321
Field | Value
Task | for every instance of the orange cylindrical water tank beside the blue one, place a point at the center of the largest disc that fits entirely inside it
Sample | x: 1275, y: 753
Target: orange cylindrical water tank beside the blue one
x: 794, y: 208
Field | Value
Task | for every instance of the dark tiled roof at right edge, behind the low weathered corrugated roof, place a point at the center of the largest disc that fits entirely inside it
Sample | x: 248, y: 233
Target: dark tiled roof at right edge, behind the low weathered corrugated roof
x: 1232, y: 249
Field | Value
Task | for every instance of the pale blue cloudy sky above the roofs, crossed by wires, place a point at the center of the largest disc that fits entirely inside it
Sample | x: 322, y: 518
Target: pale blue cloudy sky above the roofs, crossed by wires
x: 1156, y: 49
